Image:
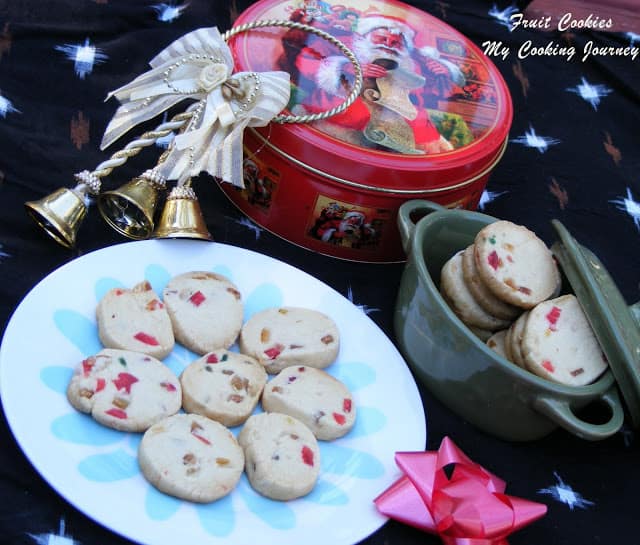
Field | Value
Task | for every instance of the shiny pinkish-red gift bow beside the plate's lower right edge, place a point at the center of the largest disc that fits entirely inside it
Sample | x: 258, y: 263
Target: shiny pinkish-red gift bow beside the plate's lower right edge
x: 468, y: 508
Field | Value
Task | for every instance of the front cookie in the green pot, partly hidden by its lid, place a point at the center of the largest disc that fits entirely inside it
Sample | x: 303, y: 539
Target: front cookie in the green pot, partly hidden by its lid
x: 558, y: 343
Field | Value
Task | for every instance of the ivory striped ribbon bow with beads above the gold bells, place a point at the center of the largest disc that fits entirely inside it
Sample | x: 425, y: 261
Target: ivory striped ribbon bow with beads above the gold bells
x: 199, y: 66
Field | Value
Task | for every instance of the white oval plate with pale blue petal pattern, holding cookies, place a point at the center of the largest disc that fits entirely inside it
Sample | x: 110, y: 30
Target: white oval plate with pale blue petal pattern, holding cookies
x: 95, y: 468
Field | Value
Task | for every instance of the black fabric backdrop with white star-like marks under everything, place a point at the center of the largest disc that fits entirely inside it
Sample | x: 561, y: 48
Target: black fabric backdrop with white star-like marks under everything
x: 51, y: 126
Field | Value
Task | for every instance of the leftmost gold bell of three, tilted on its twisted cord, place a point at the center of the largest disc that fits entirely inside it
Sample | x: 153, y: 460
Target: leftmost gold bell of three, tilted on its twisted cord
x: 60, y: 214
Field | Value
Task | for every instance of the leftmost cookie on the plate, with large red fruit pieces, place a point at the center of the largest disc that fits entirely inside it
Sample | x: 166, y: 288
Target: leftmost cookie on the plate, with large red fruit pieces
x: 125, y: 390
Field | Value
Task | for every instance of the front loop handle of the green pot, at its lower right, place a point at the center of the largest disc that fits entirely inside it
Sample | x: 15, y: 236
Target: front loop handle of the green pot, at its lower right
x: 560, y: 412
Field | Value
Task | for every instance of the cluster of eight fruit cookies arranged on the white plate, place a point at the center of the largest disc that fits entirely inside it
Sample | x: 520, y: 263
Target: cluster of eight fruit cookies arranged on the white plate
x: 187, y: 449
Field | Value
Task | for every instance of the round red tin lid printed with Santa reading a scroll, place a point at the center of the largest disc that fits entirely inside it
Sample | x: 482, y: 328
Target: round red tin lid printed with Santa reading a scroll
x: 430, y: 99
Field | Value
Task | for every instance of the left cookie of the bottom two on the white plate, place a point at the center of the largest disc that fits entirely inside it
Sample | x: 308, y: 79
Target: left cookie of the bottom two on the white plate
x: 191, y: 457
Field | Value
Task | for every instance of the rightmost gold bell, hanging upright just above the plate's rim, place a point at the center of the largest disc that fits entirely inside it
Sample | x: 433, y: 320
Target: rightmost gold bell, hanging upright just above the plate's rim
x: 182, y: 217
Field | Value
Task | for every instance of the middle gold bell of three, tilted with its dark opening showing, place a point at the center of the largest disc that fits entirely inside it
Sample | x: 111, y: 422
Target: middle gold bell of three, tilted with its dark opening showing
x: 130, y: 208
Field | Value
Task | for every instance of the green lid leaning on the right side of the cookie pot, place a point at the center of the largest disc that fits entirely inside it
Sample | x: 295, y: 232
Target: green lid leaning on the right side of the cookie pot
x: 616, y: 325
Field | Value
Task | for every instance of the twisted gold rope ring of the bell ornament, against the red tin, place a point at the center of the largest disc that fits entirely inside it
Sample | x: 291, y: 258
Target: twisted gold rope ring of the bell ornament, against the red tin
x: 357, y: 85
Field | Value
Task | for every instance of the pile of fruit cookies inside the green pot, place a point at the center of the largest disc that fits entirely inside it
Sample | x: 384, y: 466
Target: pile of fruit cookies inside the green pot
x: 505, y: 288
